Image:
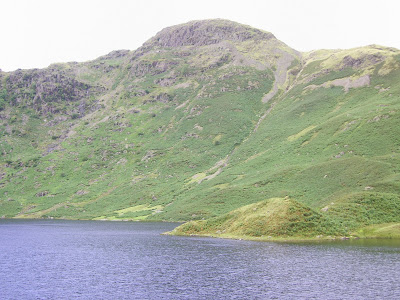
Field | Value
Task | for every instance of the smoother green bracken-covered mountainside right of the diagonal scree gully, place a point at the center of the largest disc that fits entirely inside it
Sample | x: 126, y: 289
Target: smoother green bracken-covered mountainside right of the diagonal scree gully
x: 332, y: 149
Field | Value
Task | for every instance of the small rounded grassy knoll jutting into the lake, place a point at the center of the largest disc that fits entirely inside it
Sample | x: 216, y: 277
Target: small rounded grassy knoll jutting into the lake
x: 275, y: 218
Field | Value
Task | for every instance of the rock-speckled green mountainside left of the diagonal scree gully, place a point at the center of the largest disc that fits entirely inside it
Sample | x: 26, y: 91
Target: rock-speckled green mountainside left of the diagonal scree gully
x: 137, y: 150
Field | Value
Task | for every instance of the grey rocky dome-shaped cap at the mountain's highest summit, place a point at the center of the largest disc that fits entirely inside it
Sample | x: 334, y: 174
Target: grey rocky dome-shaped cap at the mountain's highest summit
x: 207, y: 32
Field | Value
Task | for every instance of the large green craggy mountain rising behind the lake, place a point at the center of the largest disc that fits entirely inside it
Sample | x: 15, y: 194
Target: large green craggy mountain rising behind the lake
x: 205, y: 118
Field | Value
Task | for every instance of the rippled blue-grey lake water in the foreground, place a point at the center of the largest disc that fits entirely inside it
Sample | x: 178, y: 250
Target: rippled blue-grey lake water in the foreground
x: 120, y: 260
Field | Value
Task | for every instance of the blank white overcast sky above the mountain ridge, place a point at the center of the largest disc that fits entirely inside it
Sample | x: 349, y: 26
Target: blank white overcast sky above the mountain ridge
x: 36, y: 33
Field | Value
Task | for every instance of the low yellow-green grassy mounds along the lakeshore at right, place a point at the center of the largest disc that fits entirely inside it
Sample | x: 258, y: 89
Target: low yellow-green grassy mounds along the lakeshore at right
x: 367, y: 215
